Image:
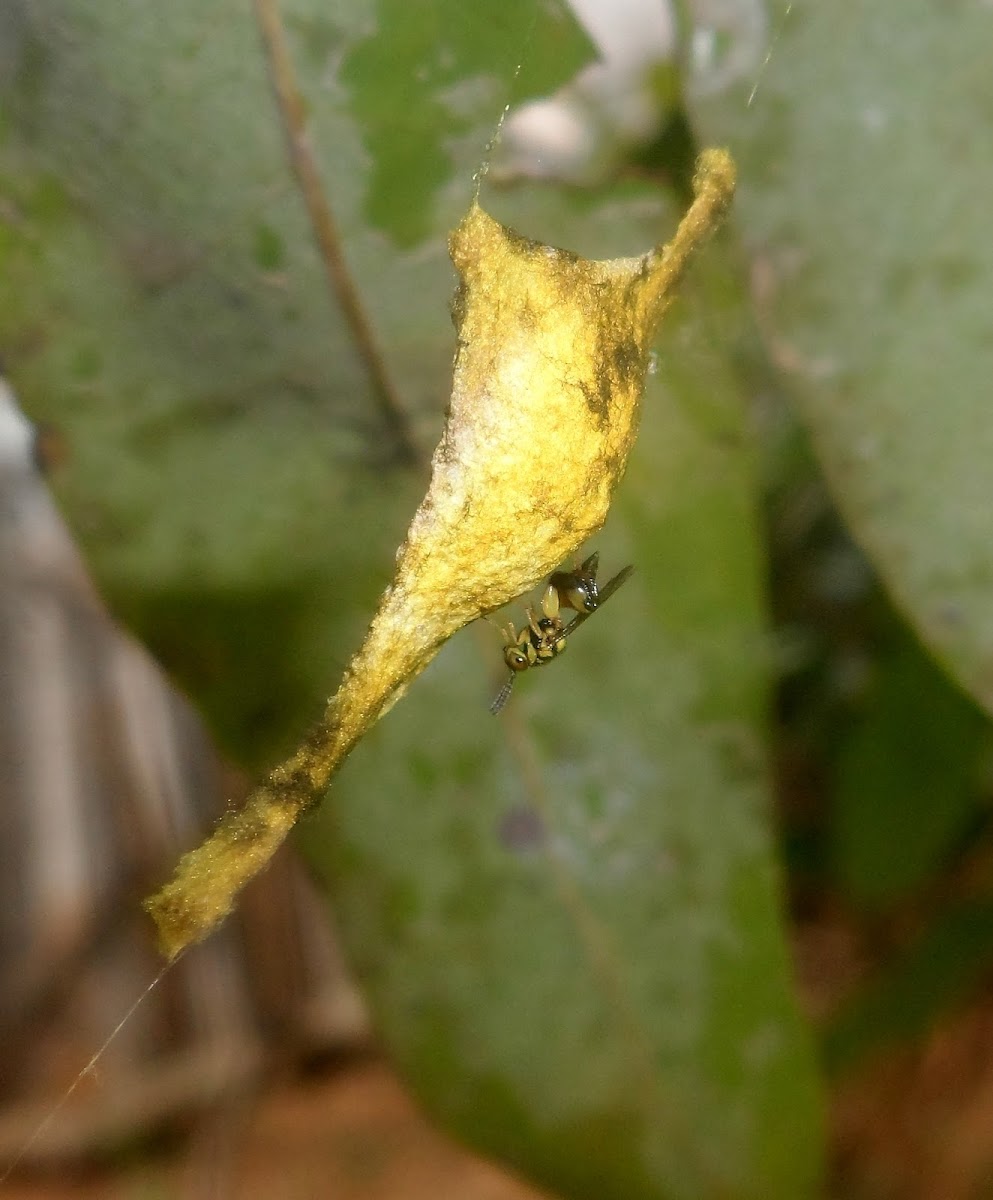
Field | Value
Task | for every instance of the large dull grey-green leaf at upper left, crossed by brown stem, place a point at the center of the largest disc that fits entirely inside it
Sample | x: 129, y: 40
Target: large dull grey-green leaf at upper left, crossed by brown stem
x: 165, y: 307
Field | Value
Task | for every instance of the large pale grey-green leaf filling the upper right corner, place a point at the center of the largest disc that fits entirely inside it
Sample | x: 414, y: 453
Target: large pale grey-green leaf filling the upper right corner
x: 865, y: 199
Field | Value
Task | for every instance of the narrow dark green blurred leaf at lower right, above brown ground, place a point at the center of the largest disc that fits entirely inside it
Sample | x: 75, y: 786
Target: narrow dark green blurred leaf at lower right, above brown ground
x: 950, y: 961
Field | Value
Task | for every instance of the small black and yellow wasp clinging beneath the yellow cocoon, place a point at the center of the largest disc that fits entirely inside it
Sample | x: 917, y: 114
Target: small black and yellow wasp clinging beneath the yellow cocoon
x: 545, y: 635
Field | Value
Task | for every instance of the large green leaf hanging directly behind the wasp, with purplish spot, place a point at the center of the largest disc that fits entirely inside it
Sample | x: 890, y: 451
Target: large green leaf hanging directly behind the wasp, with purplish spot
x: 569, y: 927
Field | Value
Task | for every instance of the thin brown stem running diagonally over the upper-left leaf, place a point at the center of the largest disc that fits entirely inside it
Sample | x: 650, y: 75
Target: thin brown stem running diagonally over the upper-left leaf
x: 293, y: 117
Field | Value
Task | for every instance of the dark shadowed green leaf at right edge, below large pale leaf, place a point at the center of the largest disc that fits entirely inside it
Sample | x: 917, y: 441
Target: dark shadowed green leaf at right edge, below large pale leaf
x: 908, y: 779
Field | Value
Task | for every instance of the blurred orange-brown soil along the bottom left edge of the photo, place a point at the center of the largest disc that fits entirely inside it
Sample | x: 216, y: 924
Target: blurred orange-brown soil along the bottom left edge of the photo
x: 351, y: 1136
